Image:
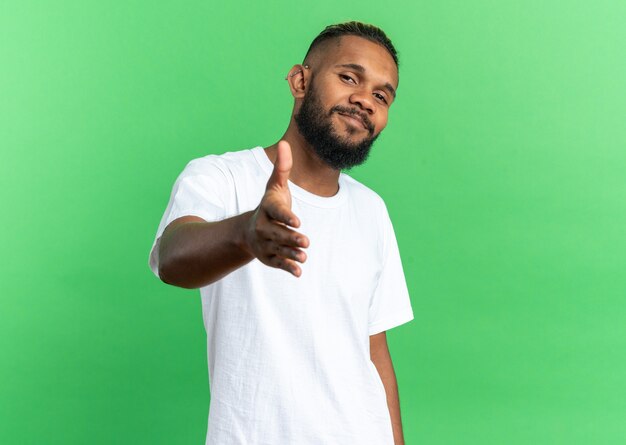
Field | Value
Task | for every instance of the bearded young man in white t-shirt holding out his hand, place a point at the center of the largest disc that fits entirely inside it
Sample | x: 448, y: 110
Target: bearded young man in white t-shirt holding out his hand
x: 297, y: 263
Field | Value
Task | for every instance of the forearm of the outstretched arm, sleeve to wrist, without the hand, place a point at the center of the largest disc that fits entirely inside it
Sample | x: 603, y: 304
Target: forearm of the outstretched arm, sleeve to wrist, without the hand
x: 195, y: 254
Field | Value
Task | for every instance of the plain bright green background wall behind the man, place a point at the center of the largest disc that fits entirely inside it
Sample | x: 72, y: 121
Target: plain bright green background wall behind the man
x: 503, y: 167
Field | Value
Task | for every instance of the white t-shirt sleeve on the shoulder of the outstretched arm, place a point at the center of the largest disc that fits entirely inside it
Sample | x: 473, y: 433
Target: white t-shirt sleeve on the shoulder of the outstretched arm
x: 202, y: 189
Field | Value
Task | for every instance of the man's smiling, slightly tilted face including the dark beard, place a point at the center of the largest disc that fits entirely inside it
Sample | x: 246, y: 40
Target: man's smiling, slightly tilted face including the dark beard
x: 357, y: 79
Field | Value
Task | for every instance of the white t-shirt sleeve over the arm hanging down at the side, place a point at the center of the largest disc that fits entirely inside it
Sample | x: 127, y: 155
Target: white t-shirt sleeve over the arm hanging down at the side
x: 390, y: 305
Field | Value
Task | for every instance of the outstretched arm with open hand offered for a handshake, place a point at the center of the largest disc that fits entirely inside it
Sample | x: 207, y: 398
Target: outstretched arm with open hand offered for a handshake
x: 194, y: 252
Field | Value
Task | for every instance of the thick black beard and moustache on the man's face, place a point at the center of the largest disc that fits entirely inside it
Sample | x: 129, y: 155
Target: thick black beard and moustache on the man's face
x: 316, y: 126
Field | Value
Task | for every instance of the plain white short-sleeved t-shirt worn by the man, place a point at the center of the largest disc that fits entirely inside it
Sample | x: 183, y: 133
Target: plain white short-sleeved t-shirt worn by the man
x: 288, y: 357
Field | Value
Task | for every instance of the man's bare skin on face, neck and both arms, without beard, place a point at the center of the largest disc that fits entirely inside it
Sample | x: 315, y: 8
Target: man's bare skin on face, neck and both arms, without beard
x: 194, y: 253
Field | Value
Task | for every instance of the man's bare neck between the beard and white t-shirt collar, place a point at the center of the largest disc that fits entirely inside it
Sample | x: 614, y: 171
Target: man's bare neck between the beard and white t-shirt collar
x: 309, y: 171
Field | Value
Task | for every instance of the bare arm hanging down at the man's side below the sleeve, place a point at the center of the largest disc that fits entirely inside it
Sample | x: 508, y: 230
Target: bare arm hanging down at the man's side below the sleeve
x: 379, y: 352
